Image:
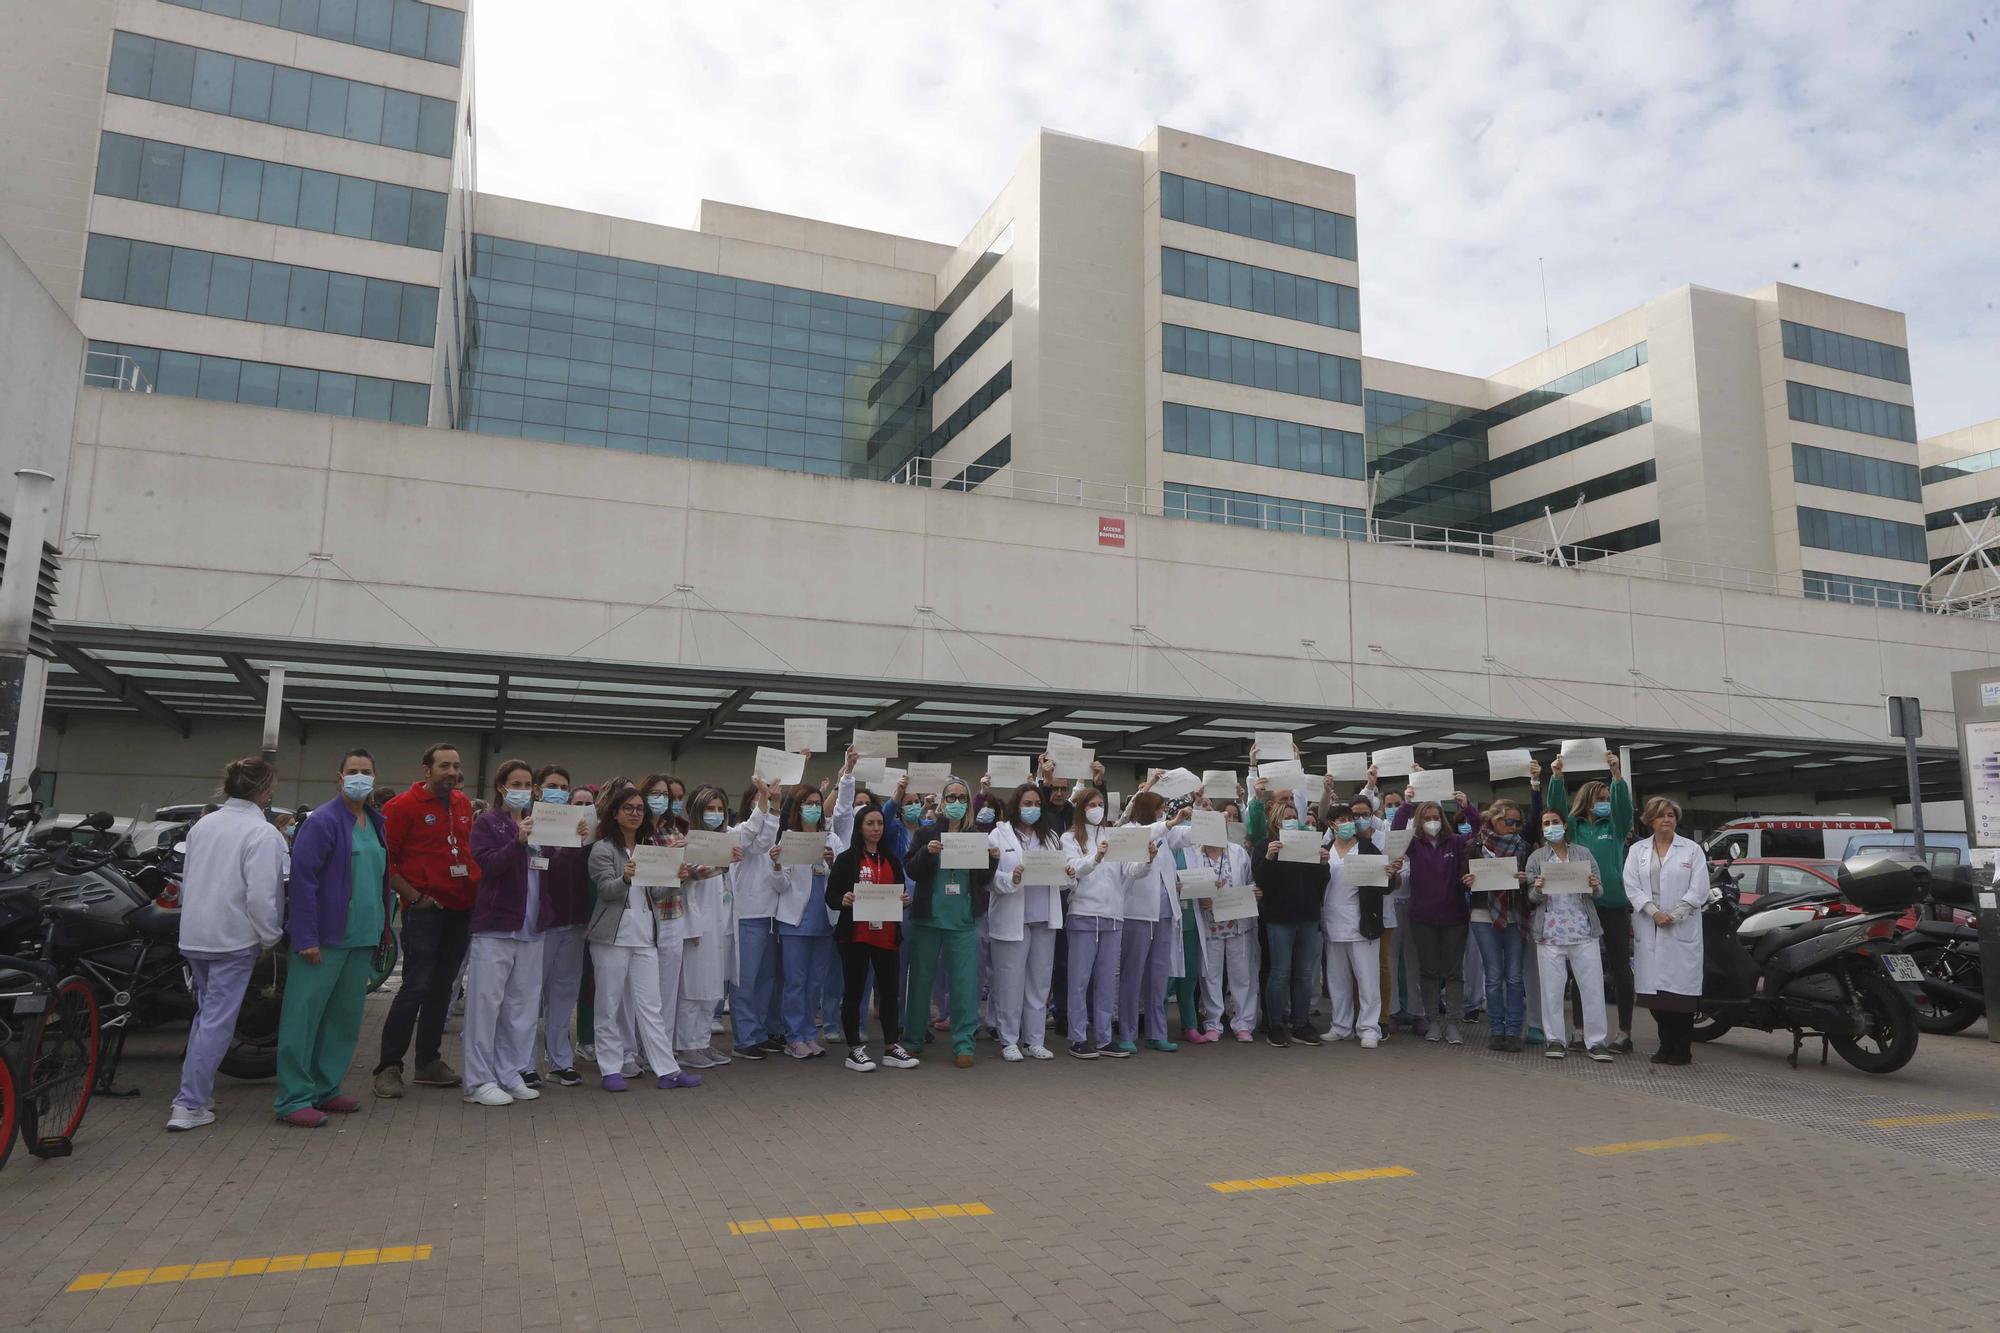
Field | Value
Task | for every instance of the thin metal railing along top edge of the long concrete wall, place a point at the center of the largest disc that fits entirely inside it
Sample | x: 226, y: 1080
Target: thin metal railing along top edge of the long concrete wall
x: 1283, y: 515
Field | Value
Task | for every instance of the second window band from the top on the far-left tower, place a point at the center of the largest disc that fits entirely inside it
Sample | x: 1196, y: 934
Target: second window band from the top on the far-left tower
x: 249, y: 89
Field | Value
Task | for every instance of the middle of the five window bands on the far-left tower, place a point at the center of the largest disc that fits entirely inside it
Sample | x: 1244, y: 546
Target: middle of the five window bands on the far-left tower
x: 235, y: 187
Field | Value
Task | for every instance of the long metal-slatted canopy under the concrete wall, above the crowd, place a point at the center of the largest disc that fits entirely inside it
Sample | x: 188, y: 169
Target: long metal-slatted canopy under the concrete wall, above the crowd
x: 181, y: 678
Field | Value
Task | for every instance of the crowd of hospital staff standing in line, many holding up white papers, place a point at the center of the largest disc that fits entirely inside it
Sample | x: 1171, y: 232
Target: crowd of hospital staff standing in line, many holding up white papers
x: 799, y: 910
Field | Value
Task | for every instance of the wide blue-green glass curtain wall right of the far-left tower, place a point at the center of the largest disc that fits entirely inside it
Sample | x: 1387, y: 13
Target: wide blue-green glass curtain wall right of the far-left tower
x: 653, y: 359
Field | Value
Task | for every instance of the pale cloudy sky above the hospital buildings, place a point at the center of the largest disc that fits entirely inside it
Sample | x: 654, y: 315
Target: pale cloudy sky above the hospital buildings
x: 1635, y: 147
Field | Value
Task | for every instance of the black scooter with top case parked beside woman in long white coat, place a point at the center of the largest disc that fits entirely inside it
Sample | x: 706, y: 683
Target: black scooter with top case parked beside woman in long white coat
x: 1787, y: 964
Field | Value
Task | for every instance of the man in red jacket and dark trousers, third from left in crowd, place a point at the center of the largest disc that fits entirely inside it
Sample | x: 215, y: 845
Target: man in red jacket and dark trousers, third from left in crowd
x: 433, y: 872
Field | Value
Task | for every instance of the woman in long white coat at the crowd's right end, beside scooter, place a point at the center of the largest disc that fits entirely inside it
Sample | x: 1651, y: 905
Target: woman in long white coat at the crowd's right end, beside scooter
x: 1667, y: 880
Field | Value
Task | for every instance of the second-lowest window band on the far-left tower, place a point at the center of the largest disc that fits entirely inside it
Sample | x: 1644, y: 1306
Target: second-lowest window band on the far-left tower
x: 141, y: 273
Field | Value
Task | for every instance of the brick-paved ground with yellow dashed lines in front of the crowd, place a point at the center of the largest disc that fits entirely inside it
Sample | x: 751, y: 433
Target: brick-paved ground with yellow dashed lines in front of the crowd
x: 1217, y: 1188
